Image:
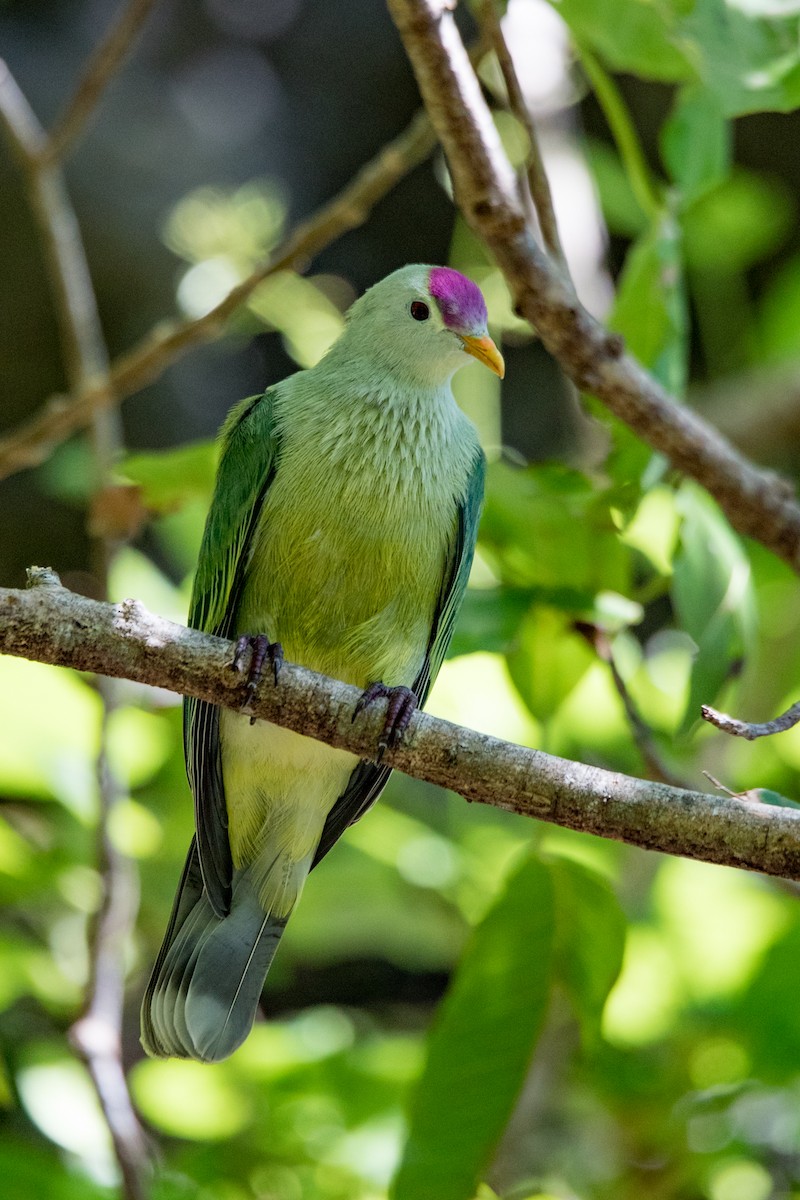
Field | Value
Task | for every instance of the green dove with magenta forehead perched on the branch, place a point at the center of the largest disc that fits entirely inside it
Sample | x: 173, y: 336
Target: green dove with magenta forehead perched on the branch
x: 341, y: 535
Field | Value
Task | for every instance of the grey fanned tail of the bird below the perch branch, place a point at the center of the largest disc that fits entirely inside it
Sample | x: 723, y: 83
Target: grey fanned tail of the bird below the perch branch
x: 207, y: 983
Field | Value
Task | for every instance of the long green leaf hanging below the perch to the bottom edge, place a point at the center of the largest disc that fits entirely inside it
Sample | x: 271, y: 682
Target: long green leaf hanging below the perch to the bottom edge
x: 482, y: 1043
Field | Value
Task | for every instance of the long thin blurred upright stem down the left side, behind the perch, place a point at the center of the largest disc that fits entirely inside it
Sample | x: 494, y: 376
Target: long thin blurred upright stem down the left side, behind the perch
x: 97, y: 1035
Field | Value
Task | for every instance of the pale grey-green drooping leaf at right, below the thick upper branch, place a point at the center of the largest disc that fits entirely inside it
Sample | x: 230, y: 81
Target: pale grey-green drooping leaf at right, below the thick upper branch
x: 713, y: 595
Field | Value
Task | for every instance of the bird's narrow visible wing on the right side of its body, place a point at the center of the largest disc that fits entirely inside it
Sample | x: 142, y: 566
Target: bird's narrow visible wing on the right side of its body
x: 369, y: 781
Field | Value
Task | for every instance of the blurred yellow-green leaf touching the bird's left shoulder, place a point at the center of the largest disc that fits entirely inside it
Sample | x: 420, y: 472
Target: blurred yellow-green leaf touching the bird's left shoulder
x: 171, y: 478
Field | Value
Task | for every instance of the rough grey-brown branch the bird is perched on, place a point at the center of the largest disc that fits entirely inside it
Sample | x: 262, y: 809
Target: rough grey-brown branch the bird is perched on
x: 50, y: 625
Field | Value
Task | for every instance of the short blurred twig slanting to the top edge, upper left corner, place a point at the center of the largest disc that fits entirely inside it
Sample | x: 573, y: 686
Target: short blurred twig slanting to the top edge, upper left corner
x: 101, y: 68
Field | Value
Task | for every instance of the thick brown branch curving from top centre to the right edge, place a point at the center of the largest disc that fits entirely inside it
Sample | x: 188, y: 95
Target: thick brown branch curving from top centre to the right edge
x: 757, y: 503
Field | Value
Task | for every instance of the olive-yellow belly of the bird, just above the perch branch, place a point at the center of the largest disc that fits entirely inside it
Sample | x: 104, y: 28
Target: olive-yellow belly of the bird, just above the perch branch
x: 346, y: 573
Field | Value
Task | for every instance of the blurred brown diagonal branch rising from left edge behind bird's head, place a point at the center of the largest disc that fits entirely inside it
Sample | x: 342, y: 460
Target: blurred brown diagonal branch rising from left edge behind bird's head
x: 33, y: 442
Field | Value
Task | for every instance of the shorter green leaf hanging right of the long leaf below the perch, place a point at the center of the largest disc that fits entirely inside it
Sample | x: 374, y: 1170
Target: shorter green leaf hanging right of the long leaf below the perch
x: 590, y: 941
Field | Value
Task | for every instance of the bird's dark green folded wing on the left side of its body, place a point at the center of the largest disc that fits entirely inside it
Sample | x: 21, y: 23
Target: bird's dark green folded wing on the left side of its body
x: 248, y: 466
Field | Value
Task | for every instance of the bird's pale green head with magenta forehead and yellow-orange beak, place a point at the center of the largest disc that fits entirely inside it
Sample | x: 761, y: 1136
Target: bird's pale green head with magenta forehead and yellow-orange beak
x: 423, y: 323
